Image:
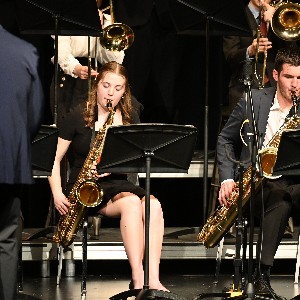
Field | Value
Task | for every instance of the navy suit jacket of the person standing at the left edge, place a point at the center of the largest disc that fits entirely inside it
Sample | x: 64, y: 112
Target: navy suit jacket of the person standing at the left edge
x: 21, y: 111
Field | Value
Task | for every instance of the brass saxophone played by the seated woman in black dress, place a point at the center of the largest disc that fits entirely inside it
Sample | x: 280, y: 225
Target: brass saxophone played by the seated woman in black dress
x: 86, y: 191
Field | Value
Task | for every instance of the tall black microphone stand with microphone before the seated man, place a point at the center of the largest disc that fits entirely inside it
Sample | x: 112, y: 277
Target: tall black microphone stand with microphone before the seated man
x: 255, y: 163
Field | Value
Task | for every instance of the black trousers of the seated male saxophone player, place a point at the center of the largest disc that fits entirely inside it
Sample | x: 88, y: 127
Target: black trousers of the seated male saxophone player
x: 279, y: 196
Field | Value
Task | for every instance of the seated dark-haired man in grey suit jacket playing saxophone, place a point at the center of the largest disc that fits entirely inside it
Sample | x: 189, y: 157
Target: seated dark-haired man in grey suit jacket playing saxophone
x: 271, y: 106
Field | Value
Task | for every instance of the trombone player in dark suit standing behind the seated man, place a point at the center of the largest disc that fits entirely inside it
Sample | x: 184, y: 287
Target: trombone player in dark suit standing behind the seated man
x: 237, y: 48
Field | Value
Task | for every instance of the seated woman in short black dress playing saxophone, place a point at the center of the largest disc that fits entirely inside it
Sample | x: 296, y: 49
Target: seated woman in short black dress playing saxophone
x: 122, y: 199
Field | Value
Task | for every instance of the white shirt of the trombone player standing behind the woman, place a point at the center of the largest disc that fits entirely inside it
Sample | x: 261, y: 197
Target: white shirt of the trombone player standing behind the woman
x: 70, y: 47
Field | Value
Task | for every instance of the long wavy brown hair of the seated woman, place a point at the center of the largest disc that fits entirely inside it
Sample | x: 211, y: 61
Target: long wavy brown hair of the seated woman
x: 125, y: 106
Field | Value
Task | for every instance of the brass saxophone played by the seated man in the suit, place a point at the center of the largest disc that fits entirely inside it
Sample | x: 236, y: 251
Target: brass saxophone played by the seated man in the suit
x: 220, y: 221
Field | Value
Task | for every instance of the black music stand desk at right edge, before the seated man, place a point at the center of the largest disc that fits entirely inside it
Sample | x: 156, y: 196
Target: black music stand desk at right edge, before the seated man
x: 288, y: 155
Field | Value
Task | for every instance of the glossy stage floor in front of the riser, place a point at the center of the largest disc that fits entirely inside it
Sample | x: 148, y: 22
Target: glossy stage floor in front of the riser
x: 190, y: 283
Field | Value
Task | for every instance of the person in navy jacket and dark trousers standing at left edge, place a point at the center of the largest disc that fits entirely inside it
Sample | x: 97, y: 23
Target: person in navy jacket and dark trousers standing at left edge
x: 21, y: 113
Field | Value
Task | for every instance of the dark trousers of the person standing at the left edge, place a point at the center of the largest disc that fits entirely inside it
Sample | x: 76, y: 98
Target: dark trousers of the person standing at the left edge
x: 9, y: 240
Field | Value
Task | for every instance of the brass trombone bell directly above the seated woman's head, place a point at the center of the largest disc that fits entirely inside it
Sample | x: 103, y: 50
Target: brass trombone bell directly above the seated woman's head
x: 117, y: 36
